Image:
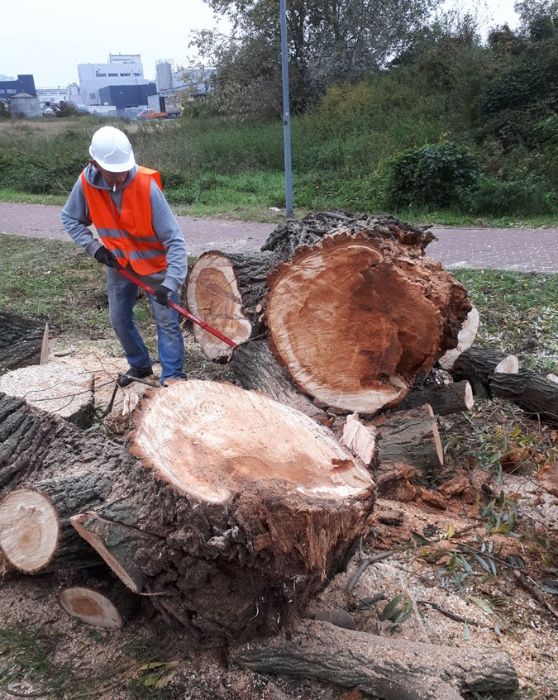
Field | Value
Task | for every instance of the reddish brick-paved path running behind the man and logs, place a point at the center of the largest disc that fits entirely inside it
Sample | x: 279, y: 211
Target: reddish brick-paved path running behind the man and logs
x: 523, y: 249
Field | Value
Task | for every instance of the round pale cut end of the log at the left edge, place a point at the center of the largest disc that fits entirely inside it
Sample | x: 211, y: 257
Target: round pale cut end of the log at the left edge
x: 29, y: 530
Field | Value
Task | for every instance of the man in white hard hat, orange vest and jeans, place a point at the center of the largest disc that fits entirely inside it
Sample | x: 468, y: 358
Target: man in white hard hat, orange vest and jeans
x: 138, y: 232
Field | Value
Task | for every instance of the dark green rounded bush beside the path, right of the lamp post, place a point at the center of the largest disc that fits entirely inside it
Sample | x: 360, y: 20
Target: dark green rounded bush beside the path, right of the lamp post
x: 432, y: 176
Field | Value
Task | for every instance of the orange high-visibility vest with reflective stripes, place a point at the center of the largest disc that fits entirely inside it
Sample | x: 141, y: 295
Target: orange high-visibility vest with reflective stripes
x: 128, y: 234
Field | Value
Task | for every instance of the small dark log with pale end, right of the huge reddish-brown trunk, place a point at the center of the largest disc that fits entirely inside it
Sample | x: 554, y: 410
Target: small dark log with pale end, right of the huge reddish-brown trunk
x: 478, y: 365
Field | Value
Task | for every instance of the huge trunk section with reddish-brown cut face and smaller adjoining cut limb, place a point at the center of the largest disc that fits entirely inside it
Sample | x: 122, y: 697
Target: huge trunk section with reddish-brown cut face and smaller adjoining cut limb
x: 353, y: 318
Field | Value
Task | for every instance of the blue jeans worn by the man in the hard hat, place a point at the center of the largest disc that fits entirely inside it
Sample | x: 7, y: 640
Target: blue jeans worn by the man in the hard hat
x: 122, y: 298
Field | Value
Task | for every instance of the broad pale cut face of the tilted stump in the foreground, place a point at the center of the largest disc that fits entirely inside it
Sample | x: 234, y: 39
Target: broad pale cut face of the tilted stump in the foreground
x: 211, y: 438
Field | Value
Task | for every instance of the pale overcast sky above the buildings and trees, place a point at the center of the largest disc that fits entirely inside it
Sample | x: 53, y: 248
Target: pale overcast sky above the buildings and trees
x: 49, y: 39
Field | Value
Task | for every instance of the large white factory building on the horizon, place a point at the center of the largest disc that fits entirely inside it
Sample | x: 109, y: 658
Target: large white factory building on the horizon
x: 122, y: 69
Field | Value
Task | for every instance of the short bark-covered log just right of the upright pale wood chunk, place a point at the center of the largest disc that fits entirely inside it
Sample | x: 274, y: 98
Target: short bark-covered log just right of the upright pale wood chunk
x: 410, y: 438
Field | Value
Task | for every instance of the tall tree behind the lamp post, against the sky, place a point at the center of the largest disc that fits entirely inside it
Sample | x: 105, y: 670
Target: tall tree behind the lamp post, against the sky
x: 329, y: 42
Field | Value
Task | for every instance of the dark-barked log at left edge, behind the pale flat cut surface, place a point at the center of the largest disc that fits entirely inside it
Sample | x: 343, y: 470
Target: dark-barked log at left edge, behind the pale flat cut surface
x: 20, y: 341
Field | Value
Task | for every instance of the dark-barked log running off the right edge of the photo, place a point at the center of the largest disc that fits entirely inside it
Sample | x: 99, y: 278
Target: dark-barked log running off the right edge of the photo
x: 534, y: 393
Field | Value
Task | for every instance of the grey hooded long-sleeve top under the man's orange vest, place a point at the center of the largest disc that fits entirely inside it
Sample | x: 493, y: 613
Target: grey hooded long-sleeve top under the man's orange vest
x: 76, y: 220
